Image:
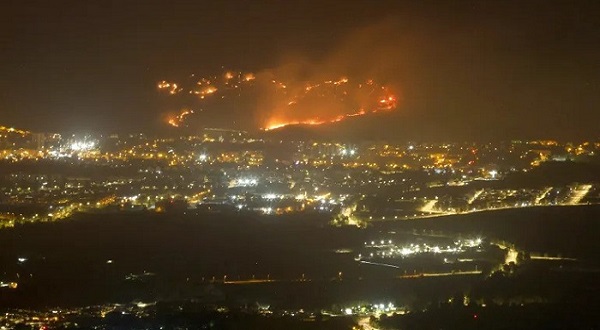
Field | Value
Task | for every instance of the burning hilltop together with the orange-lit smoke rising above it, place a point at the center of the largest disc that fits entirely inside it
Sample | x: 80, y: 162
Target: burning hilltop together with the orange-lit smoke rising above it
x: 356, y: 77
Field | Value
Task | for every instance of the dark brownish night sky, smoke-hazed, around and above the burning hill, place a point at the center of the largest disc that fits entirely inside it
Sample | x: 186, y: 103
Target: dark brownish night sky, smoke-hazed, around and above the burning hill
x: 466, y: 70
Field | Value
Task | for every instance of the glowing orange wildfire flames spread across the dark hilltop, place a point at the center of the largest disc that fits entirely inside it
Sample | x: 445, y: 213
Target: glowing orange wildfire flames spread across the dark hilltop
x: 276, y: 103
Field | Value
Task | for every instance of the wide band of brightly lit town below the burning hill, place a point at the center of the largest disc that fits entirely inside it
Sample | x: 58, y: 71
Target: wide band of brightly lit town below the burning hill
x: 48, y: 177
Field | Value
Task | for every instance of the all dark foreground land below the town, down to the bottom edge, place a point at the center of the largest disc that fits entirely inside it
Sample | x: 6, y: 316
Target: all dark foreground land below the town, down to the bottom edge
x: 303, y: 265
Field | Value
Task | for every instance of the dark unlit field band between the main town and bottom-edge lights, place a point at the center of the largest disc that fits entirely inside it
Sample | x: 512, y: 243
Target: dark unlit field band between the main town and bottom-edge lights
x: 174, y: 257
